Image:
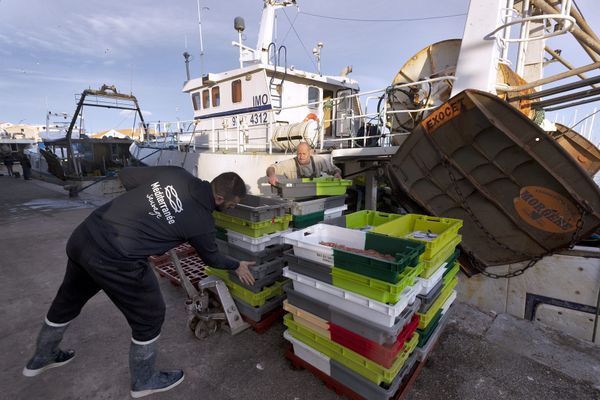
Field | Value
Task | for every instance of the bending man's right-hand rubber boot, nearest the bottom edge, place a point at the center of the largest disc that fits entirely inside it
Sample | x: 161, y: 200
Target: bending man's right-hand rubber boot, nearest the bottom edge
x: 144, y: 379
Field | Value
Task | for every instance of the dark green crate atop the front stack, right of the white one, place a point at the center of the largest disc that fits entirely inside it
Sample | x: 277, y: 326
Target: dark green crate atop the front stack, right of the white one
x: 406, y: 254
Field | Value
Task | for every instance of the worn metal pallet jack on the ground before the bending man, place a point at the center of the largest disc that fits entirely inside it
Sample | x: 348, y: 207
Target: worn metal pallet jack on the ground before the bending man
x: 210, y: 306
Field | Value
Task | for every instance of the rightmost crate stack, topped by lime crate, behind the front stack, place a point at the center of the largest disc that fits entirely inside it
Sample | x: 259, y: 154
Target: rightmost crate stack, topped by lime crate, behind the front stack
x: 440, y: 268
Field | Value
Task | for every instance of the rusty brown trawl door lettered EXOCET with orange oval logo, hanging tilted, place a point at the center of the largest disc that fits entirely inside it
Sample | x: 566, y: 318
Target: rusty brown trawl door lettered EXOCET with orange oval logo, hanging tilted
x: 520, y: 194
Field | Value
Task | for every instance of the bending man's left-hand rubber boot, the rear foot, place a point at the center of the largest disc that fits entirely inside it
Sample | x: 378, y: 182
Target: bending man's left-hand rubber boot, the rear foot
x: 47, y: 354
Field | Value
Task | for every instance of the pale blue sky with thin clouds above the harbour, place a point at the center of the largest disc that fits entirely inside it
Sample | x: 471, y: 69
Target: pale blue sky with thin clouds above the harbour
x: 50, y: 51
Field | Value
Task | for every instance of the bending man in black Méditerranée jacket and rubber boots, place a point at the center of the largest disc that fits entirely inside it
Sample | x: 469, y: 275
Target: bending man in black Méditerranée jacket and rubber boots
x: 162, y: 208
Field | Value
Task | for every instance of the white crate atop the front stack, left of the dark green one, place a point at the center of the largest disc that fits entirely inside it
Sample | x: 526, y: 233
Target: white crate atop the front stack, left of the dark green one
x: 306, y: 241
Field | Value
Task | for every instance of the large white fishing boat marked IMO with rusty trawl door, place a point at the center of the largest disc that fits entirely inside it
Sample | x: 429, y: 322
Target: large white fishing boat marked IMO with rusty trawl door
x: 460, y: 132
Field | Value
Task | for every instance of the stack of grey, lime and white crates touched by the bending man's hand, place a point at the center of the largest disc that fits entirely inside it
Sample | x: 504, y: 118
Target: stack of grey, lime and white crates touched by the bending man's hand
x: 252, y: 232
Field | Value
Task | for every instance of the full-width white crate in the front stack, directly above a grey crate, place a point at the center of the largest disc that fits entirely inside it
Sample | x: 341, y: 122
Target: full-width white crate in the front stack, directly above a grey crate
x: 360, y: 306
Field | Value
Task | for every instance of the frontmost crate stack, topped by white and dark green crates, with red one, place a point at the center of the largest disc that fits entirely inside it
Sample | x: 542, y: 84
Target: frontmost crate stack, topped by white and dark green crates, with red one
x: 352, y: 315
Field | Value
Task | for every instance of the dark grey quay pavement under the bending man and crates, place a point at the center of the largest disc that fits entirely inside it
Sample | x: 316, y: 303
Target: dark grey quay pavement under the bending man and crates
x: 478, y: 356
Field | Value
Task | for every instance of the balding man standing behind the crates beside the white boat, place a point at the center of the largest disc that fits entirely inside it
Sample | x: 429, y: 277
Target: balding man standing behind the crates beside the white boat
x: 304, y: 165
